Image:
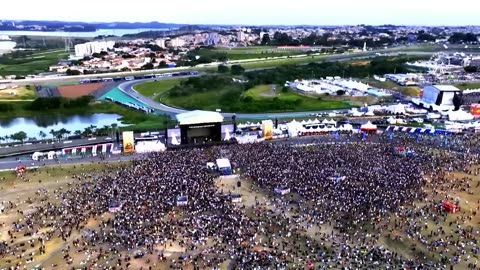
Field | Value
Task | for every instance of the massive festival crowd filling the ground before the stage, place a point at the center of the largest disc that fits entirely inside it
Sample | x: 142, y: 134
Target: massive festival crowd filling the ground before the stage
x: 342, y: 197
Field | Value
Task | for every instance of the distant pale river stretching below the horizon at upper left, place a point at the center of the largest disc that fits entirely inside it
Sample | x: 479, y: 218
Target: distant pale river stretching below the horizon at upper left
x: 105, y: 32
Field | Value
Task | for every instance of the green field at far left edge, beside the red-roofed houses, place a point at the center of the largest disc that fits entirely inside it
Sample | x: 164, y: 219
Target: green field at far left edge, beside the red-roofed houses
x: 37, y: 62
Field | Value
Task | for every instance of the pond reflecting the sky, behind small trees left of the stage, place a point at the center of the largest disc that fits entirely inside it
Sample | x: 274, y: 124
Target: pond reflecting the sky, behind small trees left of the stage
x: 33, y: 126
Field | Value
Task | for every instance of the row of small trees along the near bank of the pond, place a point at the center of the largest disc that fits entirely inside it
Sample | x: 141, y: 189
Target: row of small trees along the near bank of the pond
x: 62, y: 133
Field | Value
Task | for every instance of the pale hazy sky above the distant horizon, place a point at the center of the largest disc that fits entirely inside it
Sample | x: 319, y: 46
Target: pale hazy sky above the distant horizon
x: 254, y: 12
